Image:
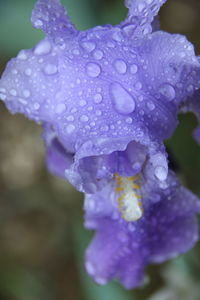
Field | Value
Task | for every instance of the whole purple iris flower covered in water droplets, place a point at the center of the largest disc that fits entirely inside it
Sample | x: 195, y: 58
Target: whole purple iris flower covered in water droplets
x: 107, y: 98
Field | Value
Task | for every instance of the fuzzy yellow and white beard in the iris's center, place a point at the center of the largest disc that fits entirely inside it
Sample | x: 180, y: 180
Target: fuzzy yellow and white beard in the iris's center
x: 129, y: 203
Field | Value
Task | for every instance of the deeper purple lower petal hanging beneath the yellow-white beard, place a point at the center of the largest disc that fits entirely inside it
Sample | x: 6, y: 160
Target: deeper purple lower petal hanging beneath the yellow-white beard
x: 122, y: 249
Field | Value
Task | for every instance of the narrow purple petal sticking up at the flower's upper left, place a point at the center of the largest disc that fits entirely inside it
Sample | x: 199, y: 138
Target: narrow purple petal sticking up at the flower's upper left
x: 51, y: 17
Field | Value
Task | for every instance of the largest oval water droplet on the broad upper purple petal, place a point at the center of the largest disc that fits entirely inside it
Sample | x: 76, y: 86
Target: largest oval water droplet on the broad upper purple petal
x: 123, y: 102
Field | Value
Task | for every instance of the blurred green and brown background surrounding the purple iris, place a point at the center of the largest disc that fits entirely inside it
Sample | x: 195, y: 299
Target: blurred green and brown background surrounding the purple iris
x: 42, y: 240
